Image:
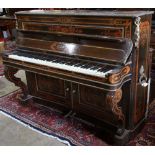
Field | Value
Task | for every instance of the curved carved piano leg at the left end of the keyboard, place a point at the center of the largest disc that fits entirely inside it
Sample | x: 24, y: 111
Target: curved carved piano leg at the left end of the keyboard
x: 9, y: 74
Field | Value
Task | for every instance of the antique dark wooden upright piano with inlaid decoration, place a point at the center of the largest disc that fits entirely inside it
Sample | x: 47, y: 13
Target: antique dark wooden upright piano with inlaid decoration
x: 94, y: 65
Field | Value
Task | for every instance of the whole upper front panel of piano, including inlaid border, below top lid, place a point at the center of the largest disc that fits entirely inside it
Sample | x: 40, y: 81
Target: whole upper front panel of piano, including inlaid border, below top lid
x: 78, y: 25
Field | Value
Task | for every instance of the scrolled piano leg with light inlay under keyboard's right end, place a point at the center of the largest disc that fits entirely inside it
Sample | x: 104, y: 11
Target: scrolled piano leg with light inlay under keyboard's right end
x: 113, y: 99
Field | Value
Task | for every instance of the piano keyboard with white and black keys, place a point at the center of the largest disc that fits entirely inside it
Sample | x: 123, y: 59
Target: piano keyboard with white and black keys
x: 93, y: 69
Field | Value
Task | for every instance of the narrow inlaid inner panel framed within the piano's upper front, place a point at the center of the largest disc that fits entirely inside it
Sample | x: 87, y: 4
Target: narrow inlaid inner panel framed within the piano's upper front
x: 73, y: 30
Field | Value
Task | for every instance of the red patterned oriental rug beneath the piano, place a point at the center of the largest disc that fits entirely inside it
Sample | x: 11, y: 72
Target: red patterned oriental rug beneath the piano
x: 70, y: 131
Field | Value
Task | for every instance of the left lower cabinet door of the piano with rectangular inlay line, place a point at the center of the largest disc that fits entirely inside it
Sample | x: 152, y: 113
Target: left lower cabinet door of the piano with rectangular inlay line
x: 50, y: 89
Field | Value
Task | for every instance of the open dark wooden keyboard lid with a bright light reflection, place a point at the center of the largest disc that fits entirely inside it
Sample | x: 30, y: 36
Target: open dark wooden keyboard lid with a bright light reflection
x: 99, y: 48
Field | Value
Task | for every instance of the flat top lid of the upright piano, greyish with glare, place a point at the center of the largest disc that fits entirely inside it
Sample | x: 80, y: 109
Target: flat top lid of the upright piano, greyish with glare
x: 85, y: 13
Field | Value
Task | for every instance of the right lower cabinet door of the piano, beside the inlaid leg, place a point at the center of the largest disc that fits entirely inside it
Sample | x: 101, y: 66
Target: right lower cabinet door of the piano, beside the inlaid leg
x: 92, y: 102
